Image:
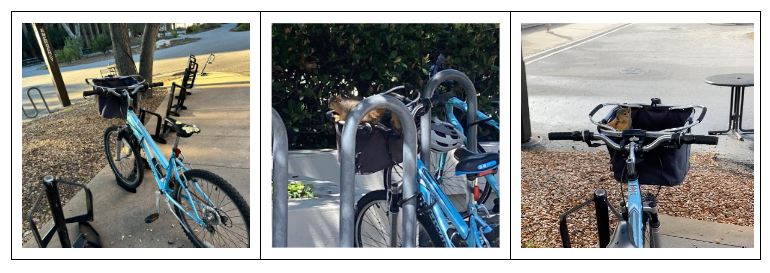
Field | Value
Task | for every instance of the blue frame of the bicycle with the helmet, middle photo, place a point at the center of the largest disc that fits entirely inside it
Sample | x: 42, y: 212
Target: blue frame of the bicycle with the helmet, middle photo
x: 445, y: 213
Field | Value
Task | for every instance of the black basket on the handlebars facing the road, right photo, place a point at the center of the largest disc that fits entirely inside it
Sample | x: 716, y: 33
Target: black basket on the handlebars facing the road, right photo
x: 664, y: 165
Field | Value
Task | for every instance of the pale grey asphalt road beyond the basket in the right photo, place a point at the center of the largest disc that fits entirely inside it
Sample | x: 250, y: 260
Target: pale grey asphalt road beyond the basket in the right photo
x: 639, y: 62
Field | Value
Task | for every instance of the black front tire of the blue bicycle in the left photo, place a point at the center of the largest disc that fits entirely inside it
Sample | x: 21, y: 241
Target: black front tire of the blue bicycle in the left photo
x: 133, y: 179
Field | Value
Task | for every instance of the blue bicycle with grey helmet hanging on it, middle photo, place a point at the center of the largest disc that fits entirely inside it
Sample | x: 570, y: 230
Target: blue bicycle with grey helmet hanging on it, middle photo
x: 441, y: 223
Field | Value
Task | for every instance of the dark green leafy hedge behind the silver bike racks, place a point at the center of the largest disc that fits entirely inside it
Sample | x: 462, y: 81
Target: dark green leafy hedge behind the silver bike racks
x: 312, y: 62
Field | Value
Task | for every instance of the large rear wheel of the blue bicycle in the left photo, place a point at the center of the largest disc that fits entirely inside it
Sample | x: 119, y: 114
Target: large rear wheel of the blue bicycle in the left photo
x: 221, y: 210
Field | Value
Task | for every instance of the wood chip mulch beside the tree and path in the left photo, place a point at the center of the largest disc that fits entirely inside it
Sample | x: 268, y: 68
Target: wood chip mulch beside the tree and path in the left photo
x: 69, y: 145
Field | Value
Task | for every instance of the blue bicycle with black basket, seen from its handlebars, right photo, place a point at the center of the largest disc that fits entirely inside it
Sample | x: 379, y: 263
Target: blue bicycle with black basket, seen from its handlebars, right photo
x: 653, y: 150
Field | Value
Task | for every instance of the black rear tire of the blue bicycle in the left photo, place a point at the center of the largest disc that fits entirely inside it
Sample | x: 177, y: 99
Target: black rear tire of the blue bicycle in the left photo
x: 230, y: 192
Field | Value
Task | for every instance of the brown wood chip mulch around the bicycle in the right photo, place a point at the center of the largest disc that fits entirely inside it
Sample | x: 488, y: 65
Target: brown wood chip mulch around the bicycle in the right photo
x: 554, y: 181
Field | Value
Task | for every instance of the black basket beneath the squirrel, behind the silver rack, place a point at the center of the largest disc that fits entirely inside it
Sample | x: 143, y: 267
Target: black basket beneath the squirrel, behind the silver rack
x: 377, y: 147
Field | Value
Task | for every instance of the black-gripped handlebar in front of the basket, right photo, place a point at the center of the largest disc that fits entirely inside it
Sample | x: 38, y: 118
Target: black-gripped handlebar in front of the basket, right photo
x: 676, y: 138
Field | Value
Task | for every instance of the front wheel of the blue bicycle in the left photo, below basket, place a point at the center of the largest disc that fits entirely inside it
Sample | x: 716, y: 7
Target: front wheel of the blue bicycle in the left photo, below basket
x: 123, y: 155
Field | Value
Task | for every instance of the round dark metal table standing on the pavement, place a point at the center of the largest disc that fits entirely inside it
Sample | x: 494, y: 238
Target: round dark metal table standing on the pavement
x: 737, y: 83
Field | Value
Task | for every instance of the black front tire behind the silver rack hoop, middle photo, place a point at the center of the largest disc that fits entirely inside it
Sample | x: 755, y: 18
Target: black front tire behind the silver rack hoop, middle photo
x: 378, y: 199
